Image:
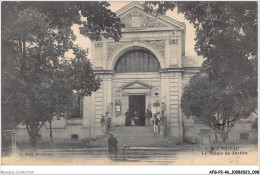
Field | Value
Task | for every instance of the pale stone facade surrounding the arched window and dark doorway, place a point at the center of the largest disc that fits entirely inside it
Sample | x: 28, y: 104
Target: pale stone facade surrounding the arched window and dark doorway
x: 162, y: 36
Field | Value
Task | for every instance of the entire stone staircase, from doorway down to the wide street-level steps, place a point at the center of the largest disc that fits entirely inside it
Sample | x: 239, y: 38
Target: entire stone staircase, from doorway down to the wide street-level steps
x: 141, y: 145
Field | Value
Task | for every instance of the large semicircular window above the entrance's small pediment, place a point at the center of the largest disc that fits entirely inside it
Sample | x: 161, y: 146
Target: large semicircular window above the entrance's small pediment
x: 137, y: 61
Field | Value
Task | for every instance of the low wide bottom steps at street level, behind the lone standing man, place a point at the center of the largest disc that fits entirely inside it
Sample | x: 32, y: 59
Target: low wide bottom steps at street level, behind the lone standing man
x: 132, y: 153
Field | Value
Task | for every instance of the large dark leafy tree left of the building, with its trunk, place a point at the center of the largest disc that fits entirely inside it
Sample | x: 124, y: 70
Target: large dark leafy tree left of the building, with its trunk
x: 36, y: 84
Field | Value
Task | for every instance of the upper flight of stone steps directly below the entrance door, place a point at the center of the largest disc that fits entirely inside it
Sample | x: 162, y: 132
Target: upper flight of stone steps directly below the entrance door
x: 133, y: 136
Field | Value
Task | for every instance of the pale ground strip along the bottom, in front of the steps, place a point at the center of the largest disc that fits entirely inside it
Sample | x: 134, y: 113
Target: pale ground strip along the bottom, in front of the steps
x: 245, y: 156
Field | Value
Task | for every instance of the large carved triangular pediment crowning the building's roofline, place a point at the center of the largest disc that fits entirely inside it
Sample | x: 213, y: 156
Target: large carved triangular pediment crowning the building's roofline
x: 135, y: 19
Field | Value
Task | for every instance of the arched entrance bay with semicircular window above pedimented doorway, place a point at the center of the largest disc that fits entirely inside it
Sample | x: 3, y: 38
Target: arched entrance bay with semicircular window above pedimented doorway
x: 138, y: 66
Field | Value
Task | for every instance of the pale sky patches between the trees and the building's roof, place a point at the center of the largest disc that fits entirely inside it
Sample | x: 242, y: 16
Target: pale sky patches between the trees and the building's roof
x: 85, y: 43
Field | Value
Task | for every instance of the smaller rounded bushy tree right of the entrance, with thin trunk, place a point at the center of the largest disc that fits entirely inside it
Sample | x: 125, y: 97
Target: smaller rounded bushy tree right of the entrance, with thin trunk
x: 217, y: 108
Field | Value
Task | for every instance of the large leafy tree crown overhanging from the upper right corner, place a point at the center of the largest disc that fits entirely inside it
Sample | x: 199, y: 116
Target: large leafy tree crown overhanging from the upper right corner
x: 226, y: 35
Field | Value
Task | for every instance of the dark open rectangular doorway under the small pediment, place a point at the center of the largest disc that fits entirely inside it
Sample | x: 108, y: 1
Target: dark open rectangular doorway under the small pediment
x: 137, y: 103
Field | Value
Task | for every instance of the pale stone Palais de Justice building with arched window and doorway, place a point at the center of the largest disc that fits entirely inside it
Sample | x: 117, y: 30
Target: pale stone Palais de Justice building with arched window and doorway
x: 147, y: 68
